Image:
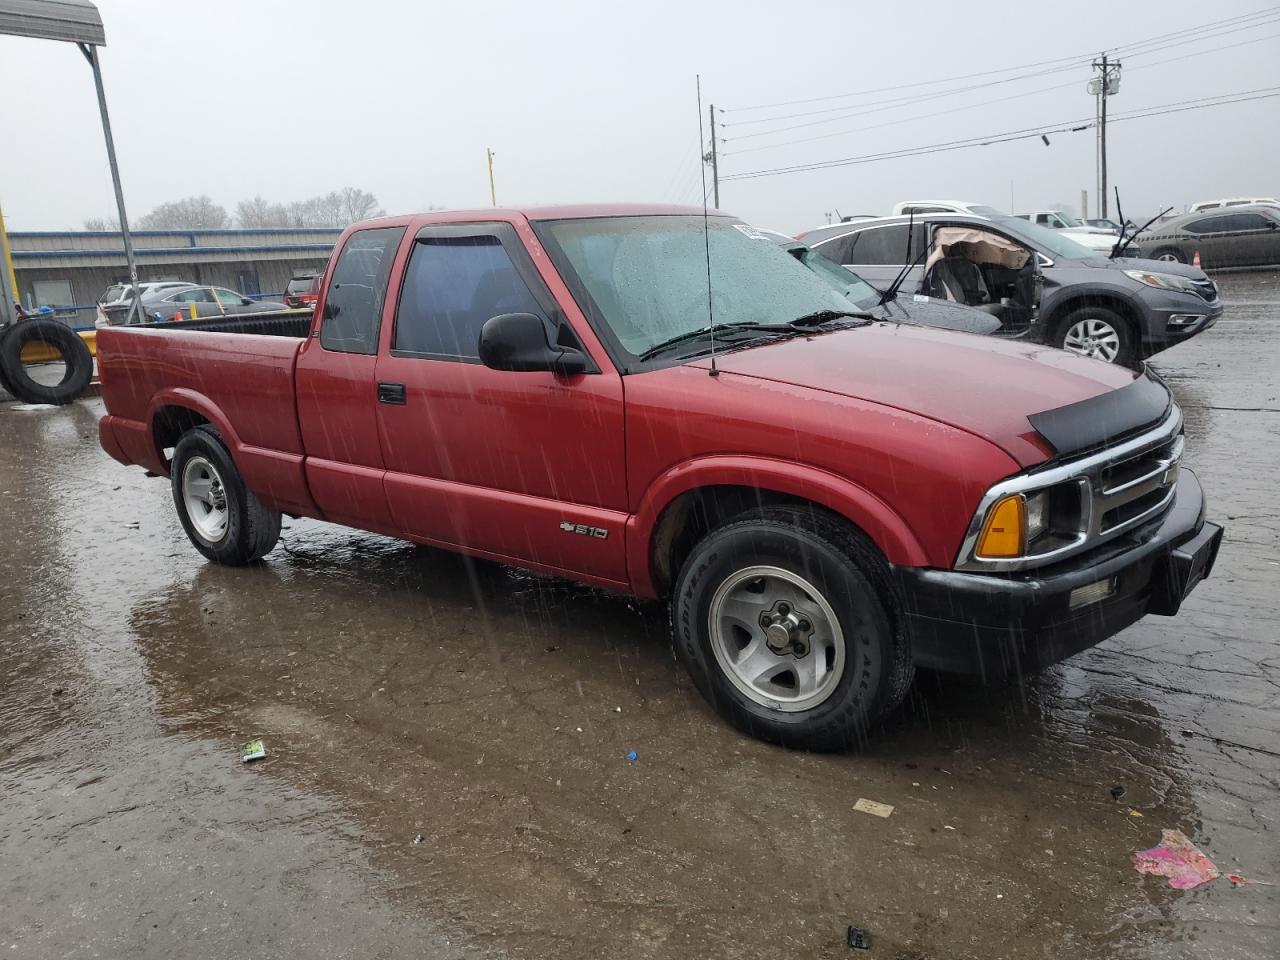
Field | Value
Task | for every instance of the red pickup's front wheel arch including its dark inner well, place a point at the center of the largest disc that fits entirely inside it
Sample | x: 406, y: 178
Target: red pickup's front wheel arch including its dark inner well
x: 693, y: 499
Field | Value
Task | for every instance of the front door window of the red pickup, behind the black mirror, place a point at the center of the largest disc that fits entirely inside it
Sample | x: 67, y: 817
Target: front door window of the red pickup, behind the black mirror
x: 452, y: 286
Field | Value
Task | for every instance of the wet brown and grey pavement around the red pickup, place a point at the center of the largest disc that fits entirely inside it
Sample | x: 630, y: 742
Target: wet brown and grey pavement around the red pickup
x: 406, y: 693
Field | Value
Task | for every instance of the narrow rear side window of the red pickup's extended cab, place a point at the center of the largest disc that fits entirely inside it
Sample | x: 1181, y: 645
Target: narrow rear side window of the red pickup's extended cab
x: 355, y: 303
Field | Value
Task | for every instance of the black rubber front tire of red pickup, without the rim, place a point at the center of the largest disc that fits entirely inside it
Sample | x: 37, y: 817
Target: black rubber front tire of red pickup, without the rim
x: 851, y: 574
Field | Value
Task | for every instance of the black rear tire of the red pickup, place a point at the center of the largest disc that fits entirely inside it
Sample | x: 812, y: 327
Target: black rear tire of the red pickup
x: 250, y: 529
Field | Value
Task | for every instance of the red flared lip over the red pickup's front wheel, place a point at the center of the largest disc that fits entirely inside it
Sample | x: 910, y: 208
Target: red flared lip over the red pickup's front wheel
x: 867, y: 511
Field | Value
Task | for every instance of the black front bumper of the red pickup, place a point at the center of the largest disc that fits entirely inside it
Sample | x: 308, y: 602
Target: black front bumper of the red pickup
x: 1000, y: 624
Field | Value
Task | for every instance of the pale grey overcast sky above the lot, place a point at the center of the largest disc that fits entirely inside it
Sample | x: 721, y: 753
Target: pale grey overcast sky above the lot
x: 596, y: 102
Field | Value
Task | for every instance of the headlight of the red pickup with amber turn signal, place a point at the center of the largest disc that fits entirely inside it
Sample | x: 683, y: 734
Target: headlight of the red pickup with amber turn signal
x: 1026, y: 525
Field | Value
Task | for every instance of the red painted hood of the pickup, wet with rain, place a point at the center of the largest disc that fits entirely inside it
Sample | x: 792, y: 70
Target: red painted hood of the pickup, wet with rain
x: 979, y: 385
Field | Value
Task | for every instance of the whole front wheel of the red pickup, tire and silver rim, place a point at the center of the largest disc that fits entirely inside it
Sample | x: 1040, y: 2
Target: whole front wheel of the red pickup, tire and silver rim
x: 785, y: 621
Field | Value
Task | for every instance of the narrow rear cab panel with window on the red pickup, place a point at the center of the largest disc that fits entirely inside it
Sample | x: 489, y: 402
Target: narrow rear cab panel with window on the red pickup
x: 336, y: 383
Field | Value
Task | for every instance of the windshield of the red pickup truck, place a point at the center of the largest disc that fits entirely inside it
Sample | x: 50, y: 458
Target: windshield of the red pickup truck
x: 648, y: 280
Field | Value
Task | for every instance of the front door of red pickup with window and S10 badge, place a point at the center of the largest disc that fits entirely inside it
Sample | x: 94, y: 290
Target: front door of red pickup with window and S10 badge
x: 522, y: 467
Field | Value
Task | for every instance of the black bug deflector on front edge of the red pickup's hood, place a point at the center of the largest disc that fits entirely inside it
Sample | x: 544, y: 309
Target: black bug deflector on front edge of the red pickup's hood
x: 1105, y: 419
